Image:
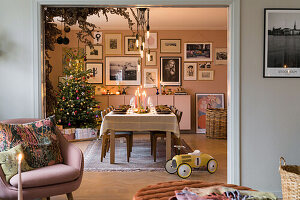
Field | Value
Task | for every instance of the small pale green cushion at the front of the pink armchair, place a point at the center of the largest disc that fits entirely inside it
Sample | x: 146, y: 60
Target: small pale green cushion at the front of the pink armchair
x: 9, y: 162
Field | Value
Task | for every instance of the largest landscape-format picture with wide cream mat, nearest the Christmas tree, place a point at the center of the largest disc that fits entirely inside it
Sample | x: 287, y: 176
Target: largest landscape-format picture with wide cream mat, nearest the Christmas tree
x: 123, y: 70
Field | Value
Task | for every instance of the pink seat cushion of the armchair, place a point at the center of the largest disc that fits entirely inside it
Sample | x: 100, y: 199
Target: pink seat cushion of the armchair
x: 45, y: 176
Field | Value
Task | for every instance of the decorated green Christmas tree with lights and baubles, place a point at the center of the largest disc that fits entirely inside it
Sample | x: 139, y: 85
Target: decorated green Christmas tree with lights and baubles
x: 75, y: 99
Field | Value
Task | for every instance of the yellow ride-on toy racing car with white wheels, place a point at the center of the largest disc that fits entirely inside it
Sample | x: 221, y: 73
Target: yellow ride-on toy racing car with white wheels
x: 183, y: 164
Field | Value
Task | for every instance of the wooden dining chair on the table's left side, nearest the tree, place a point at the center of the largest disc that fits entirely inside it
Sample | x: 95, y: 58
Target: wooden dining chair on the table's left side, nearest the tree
x: 106, y: 140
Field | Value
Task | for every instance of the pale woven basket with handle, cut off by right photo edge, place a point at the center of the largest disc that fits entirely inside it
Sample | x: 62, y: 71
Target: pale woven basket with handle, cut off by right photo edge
x: 290, y: 180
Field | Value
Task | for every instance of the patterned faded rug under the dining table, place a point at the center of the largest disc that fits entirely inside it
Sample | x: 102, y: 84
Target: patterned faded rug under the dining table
x: 140, y: 160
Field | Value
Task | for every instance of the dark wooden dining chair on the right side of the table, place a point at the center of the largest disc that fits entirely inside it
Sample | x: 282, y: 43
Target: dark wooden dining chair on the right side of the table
x: 156, y: 134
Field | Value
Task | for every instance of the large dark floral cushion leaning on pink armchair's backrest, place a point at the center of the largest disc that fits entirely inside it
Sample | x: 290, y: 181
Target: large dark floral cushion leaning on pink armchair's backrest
x: 39, y: 140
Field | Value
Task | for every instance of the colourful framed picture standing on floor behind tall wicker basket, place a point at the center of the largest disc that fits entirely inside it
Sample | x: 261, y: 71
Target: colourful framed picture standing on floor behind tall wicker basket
x: 204, y: 101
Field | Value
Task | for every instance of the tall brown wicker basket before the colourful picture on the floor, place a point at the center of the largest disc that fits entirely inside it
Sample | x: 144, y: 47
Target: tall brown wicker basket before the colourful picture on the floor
x: 216, y: 123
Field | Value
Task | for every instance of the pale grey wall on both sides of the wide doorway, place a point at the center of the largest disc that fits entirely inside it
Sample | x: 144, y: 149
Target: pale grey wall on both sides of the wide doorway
x: 269, y: 107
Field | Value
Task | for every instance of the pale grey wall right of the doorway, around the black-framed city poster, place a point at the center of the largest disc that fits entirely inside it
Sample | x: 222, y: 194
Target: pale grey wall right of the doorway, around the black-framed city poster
x: 270, y: 111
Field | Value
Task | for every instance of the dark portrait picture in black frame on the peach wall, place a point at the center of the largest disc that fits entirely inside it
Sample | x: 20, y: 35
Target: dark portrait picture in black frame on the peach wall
x: 170, y: 70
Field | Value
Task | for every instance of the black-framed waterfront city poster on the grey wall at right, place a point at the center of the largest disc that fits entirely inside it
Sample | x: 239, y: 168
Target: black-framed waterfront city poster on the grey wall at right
x: 281, y: 43
